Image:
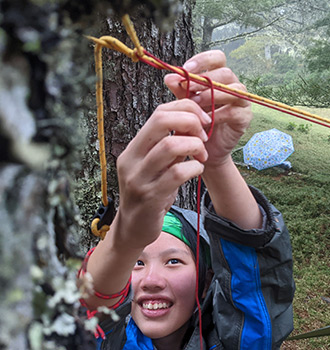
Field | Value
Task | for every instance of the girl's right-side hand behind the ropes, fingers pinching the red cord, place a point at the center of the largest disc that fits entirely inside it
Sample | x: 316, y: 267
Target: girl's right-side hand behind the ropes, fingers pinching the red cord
x: 232, y: 114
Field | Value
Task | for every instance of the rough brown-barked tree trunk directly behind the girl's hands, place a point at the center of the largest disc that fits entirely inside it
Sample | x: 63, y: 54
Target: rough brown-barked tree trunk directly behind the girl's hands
x: 132, y: 91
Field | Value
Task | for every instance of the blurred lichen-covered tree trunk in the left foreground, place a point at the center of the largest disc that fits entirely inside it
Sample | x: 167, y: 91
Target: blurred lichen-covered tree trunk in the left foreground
x: 45, y: 73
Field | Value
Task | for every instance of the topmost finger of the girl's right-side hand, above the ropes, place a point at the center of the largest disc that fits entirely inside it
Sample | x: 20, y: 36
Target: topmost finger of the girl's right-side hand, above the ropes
x: 205, y: 61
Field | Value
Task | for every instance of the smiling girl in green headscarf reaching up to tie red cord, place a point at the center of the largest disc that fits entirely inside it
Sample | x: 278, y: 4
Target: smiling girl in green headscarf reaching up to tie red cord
x: 247, y: 304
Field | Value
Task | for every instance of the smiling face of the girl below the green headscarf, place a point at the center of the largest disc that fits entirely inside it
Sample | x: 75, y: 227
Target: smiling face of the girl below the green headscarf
x: 164, y: 280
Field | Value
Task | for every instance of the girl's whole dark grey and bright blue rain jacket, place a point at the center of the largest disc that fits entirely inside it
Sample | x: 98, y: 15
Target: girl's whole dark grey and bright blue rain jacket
x: 249, y: 303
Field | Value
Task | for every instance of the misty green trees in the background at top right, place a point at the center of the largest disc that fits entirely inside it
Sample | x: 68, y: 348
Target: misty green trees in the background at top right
x: 280, y: 49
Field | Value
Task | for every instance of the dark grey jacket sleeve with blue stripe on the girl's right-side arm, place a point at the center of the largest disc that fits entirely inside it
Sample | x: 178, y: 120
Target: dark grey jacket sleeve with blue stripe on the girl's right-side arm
x: 253, y: 287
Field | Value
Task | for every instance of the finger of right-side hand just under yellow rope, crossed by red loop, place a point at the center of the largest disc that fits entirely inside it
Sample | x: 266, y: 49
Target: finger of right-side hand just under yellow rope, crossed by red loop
x: 204, y: 98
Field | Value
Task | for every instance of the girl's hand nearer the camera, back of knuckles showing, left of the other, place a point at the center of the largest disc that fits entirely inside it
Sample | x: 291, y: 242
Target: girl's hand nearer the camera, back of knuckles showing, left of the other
x: 155, y: 164
